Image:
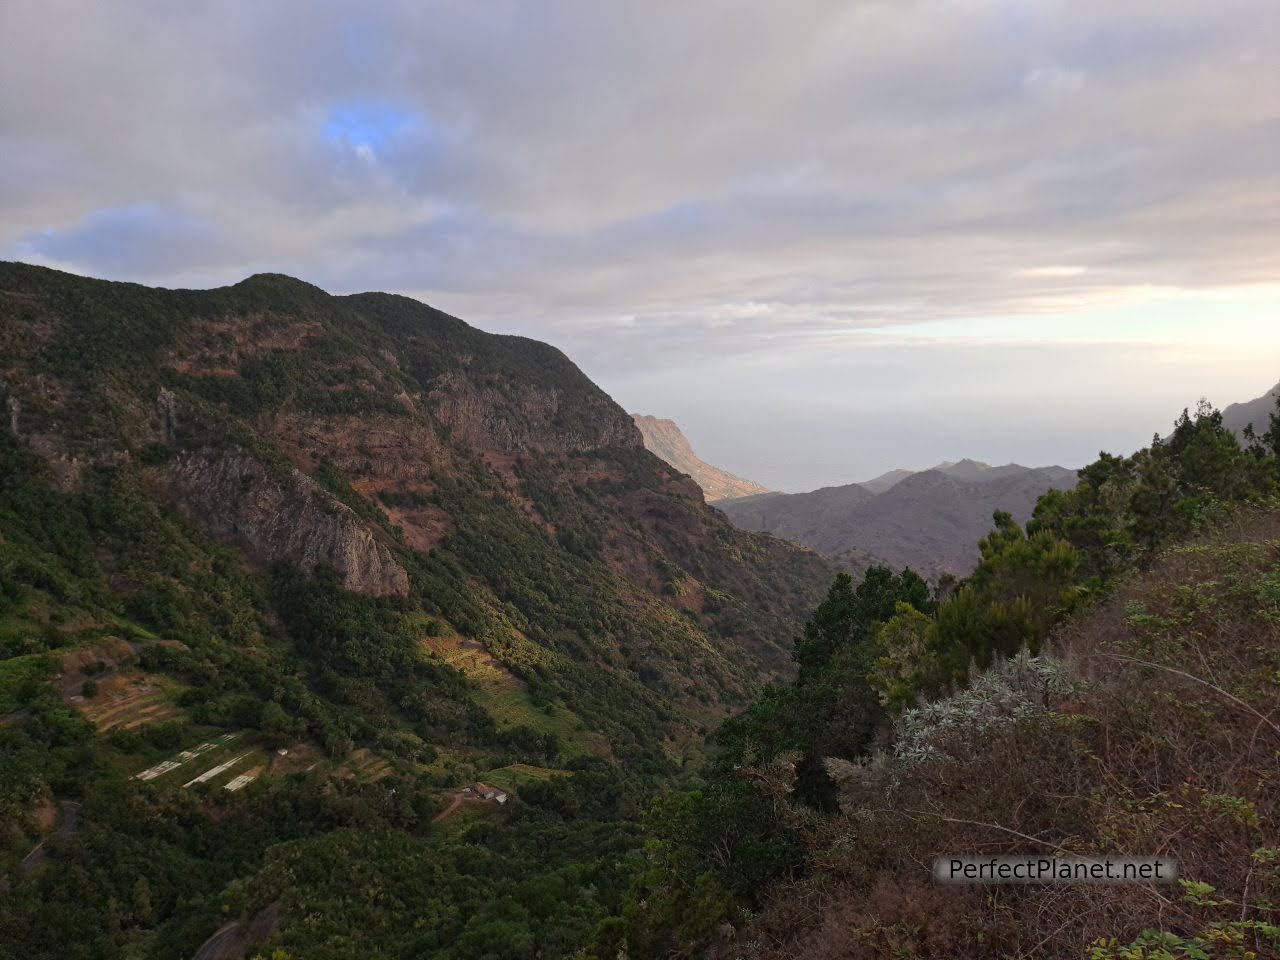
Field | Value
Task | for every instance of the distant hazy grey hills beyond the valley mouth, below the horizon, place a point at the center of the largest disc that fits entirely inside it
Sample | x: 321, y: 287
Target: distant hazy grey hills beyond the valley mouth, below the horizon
x: 930, y: 520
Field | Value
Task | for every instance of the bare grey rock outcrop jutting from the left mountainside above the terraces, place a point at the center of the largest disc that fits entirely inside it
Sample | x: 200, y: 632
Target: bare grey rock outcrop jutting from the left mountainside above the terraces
x: 235, y: 497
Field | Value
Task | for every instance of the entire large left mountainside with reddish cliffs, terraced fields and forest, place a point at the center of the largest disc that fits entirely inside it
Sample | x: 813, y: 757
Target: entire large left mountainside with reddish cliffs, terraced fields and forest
x: 278, y: 564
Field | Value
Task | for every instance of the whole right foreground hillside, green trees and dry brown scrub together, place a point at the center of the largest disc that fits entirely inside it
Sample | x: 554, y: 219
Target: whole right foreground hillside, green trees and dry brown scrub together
x: 1105, y: 684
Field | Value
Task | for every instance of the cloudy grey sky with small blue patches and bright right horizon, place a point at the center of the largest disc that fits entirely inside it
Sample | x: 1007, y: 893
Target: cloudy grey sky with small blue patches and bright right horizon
x: 828, y: 239
